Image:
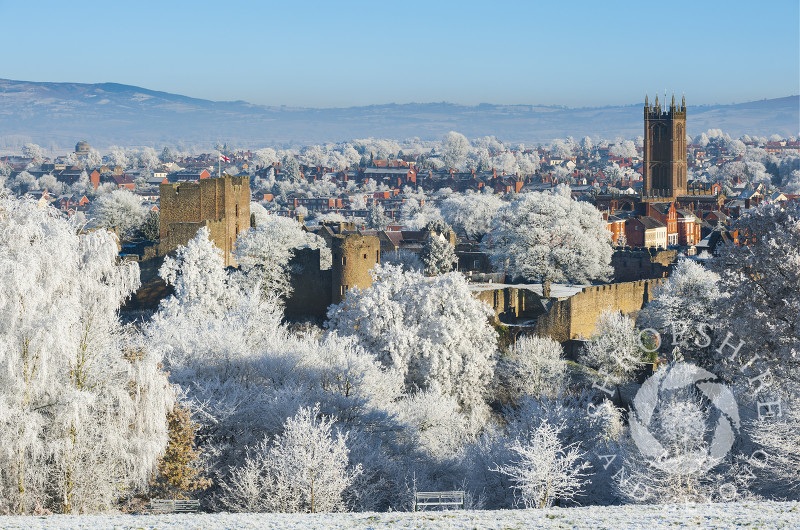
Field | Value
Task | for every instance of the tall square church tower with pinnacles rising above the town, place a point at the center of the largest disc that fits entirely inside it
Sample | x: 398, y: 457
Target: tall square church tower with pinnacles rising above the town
x: 664, y: 151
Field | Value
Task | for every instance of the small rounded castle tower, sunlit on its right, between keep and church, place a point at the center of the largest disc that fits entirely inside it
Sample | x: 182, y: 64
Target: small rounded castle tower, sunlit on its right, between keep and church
x: 353, y: 257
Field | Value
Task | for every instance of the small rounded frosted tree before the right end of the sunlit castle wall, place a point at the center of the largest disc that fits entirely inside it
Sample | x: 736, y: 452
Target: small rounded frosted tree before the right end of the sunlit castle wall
x: 614, y: 349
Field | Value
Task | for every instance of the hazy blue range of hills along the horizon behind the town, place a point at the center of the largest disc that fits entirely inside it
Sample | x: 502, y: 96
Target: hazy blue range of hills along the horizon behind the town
x: 57, y: 115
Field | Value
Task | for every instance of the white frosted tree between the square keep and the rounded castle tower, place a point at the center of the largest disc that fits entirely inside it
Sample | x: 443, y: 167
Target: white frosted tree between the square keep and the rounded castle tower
x: 264, y: 251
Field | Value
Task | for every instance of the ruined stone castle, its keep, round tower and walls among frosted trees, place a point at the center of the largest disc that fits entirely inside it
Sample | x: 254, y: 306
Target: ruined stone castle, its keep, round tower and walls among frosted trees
x: 223, y: 205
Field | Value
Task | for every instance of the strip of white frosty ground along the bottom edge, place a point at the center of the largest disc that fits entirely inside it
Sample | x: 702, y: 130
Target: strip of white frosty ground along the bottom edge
x: 750, y: 514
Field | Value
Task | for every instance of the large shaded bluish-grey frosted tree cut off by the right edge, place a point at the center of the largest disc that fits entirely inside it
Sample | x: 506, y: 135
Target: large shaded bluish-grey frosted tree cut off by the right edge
x: 762, y: 282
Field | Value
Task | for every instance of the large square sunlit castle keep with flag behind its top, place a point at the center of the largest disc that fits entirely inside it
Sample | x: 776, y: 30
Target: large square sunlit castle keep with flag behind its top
x: 221, y: 204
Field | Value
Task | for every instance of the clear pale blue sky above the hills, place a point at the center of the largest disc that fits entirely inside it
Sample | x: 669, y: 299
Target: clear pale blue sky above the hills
x: 345, y: 53
